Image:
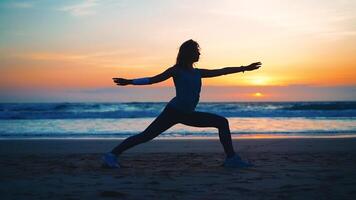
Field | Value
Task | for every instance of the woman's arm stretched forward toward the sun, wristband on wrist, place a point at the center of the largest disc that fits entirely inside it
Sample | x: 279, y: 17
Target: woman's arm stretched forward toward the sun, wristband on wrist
x: 206, y: 73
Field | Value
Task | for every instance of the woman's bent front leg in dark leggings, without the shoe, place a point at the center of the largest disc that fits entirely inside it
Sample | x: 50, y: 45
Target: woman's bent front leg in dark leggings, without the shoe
x: 203, y: 119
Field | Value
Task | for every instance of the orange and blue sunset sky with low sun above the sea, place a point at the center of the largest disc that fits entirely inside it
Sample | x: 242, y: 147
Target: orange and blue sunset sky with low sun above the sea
x: 70, y: 50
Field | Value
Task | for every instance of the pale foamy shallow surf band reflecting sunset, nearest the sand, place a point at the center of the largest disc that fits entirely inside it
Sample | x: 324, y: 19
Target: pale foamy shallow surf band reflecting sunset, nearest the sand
x: 241, y: 128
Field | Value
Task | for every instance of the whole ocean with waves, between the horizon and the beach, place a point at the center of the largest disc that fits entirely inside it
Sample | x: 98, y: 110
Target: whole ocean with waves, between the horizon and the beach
x: 120, y: 120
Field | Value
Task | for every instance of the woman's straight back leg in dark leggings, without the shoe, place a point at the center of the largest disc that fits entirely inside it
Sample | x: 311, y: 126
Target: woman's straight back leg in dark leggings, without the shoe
x: 163, y: 122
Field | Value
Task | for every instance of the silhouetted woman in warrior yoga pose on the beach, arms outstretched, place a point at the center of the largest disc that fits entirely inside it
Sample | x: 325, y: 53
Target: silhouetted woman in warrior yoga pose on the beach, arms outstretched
x: 181, y: 109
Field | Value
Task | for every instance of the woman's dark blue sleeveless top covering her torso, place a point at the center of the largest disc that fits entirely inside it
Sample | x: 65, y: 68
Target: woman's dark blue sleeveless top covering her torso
x: 188, y: 86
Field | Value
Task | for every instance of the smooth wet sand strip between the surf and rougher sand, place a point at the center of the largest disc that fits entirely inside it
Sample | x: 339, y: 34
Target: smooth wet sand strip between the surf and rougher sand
x: 100, y: 146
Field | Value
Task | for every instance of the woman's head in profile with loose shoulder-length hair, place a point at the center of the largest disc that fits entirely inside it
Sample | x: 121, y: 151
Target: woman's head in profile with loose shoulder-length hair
x: 187, y: 53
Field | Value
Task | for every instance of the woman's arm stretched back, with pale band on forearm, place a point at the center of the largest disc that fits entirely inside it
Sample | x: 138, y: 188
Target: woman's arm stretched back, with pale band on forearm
x: 148, y: 80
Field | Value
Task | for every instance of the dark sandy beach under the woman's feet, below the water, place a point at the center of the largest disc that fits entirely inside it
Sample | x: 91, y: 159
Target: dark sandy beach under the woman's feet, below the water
x: 298, y: 168
